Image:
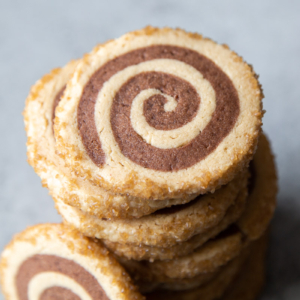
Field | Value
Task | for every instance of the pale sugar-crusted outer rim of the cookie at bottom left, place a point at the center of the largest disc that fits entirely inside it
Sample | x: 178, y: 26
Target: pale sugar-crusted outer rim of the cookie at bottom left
x: 62, y: 241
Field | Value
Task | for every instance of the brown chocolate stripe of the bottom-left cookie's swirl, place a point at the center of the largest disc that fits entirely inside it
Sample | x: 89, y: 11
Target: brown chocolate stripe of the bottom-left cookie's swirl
x: 52, y: 263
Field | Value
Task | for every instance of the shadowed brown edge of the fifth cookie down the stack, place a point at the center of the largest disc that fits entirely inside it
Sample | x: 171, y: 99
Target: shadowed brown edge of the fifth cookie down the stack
x: 204, y: 260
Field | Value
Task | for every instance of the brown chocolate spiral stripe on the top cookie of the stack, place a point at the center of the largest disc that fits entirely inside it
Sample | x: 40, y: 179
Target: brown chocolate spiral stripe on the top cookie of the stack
x: 129, y: 142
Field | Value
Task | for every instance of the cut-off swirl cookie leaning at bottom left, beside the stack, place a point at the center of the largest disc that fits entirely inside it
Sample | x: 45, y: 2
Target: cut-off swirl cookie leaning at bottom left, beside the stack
x: 51, y: 261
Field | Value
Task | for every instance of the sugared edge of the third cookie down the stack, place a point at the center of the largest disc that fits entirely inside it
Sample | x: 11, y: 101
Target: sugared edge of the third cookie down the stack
x: 166, y: 227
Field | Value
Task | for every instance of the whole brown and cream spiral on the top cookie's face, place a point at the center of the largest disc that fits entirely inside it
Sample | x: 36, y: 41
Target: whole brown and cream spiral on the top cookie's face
x: 168, y: 107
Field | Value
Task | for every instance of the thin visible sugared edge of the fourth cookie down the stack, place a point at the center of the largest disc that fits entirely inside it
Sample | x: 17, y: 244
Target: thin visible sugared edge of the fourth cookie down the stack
x: 151, y: 253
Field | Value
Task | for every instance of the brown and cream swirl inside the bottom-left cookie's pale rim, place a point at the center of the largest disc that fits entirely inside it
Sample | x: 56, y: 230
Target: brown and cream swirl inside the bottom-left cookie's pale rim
x: 40, y: 276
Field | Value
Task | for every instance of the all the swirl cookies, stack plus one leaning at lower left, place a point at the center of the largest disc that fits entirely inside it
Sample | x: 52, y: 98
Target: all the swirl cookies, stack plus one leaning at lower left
x: 151, y: 147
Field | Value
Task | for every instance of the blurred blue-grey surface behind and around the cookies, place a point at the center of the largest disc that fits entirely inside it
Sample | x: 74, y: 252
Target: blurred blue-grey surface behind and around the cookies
x: 36, y: 36
